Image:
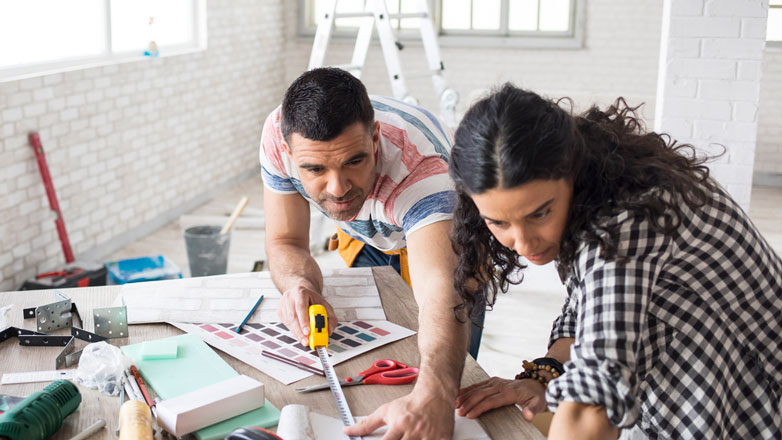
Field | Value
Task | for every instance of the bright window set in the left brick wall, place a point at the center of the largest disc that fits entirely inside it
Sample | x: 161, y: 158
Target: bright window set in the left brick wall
x: 43, y: 36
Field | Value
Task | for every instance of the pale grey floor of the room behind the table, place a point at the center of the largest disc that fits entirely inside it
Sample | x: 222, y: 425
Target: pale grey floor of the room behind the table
x: 517, y: 328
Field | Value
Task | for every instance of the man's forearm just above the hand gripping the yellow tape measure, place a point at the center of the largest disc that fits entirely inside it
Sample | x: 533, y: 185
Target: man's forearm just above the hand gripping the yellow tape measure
x: 290, y: 266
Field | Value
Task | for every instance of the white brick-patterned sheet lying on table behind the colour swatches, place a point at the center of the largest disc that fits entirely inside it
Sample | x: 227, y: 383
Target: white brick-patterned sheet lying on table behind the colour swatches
x: 227, y: 298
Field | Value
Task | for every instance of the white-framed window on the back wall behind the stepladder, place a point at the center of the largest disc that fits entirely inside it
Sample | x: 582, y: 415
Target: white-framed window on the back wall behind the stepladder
x: 541, y: 23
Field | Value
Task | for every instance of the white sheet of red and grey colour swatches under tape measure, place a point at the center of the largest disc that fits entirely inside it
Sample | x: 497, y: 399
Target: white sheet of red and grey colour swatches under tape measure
x: 348, y: 340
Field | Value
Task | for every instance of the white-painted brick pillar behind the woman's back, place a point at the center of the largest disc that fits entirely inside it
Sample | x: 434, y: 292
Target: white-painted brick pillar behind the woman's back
x: 709, y: 97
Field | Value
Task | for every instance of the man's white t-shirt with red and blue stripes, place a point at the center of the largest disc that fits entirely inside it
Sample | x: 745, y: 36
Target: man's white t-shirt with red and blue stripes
x: 412, y: 188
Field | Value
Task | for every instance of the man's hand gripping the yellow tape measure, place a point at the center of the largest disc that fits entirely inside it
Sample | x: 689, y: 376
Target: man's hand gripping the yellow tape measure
x: 293, y: 311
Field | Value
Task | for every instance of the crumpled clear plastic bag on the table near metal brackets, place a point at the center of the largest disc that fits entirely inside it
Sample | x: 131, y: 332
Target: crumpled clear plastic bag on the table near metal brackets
x: 102, y: 366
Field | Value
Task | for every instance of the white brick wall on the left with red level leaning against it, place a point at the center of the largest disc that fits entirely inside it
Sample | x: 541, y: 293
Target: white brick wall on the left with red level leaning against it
x: 127, y: 142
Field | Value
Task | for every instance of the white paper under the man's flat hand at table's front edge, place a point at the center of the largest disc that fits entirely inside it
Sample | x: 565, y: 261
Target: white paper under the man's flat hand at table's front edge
x: 298, y: 422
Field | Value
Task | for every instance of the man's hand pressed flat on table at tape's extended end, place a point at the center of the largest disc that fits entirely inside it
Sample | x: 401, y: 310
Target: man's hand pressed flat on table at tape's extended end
x: 414, y: 416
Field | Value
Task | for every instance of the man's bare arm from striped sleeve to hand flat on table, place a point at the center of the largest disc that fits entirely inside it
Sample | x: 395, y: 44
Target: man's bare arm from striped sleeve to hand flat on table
x: 428, y: 411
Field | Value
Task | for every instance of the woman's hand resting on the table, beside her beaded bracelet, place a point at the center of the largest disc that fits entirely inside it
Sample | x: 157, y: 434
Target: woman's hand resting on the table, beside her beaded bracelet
x: 496, y: 392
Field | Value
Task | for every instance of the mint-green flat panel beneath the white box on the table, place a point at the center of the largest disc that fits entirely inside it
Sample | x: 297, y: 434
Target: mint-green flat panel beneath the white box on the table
x: 196, y: 366
